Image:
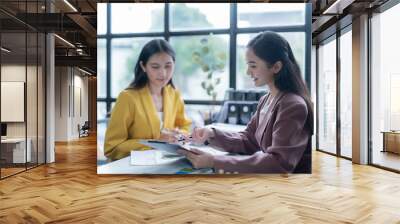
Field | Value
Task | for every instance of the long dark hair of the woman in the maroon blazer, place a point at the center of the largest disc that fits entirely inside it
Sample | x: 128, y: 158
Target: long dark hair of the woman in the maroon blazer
x: 272, y: 47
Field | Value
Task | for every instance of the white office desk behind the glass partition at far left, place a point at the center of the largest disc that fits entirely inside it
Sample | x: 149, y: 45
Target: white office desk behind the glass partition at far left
x: 13, y: 150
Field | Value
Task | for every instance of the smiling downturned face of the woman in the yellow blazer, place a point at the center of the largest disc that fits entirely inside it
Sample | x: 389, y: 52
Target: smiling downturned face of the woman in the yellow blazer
x: 159, y: 69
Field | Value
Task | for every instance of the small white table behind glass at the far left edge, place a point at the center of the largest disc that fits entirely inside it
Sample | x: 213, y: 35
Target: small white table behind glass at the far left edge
x: 18, y: 150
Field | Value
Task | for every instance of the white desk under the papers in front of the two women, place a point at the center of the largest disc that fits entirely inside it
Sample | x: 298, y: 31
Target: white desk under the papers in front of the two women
x: 177, y: 166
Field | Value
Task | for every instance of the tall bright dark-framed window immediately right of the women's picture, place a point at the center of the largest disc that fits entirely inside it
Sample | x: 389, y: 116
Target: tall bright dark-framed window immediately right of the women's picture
x: 334, y: 95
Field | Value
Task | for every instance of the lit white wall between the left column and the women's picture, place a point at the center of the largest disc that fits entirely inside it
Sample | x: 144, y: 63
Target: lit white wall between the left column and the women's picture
x: 71, y: 94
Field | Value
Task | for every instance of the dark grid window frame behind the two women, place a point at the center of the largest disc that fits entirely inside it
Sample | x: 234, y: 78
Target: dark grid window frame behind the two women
x: 232, y: 31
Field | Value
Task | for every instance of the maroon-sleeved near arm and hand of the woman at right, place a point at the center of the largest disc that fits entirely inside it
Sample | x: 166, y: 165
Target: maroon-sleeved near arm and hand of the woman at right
x: 289, y: 140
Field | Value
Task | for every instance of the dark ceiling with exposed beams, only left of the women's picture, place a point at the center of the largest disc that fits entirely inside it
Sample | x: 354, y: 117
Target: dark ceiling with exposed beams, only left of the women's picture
x: 77, y: 26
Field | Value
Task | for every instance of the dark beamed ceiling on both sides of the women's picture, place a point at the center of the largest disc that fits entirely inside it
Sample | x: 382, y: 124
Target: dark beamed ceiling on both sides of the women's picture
x: 77, y: 22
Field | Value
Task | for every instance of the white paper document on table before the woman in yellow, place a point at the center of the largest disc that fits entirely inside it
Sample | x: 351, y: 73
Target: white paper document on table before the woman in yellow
x: 152, y: 157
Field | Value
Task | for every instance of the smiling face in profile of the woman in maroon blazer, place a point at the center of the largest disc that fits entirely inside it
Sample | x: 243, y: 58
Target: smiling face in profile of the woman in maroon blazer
x: 261, y: 73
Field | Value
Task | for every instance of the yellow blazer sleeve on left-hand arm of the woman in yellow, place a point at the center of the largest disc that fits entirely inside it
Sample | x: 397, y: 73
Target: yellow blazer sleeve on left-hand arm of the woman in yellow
x: 116, y: 142
